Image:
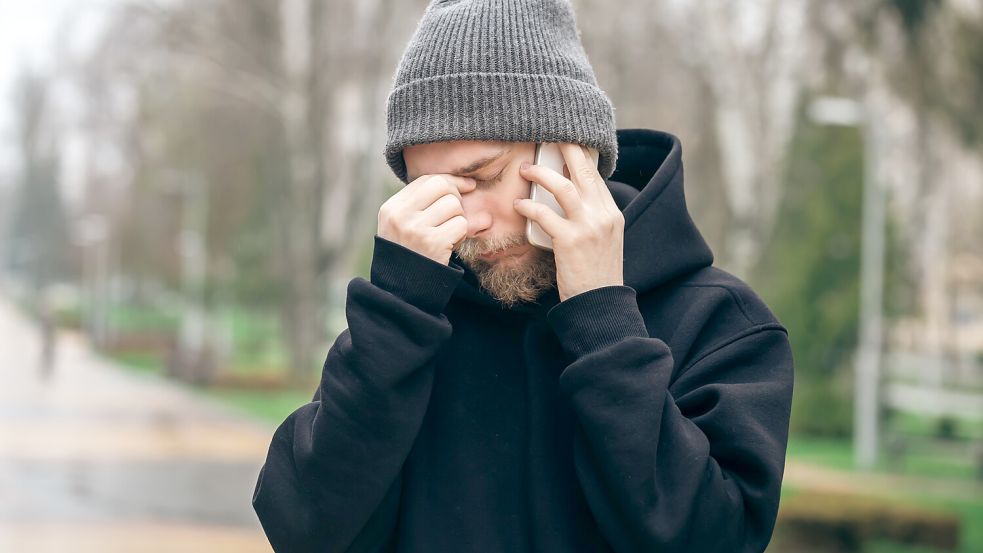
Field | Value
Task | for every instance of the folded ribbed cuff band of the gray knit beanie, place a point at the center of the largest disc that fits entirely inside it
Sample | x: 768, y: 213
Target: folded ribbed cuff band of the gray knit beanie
x: 511, y: 107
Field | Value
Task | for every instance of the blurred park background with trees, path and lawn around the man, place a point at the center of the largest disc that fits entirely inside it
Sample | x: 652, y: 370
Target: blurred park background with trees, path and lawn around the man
x: 186, y: 188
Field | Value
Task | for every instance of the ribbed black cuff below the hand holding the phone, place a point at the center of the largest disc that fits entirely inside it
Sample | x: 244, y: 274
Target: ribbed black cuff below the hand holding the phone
x: 597, y: 319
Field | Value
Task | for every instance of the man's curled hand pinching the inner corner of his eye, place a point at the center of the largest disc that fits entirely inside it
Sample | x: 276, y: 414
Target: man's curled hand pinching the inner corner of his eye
x: 426, y: 216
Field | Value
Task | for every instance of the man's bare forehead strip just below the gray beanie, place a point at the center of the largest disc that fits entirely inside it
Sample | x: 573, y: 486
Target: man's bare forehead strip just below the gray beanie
x: 451, y: 156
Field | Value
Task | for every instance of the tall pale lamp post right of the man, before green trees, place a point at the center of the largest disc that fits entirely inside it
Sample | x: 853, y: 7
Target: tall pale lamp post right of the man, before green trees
x: 848, y: 112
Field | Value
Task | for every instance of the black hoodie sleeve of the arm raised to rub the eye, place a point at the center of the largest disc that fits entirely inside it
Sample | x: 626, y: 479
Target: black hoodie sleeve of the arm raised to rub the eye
x: 332, y: 477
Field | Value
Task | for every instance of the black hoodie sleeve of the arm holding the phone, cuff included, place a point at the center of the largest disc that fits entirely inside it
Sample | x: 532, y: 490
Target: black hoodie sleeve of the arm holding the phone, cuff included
x: 694, y: 468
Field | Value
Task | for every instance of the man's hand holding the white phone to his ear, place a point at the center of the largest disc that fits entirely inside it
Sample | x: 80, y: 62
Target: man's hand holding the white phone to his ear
x: 588, y: 244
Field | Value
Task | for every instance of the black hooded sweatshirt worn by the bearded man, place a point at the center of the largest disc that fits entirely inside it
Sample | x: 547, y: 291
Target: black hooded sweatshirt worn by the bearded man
x: 651, y: 416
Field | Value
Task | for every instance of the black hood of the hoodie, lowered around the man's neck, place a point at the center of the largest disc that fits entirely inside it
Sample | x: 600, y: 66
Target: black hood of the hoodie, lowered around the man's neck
x: 661, y: 241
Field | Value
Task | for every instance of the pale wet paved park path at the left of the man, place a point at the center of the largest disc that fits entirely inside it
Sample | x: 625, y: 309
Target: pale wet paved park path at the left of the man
x: 98, y: 458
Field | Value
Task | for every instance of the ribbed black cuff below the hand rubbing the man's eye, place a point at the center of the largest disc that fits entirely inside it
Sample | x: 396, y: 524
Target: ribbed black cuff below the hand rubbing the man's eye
x: 412, y: 276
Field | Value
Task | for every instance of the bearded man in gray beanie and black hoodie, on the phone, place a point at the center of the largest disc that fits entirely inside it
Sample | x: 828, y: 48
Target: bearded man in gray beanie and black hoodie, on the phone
x: 616, y: 394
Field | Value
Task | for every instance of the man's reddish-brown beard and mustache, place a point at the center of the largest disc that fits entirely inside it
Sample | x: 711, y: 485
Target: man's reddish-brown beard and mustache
x: 507, y: 279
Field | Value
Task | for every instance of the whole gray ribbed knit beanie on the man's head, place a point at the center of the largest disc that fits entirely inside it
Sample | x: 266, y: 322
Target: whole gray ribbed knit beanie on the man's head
x: 509, y: 70
